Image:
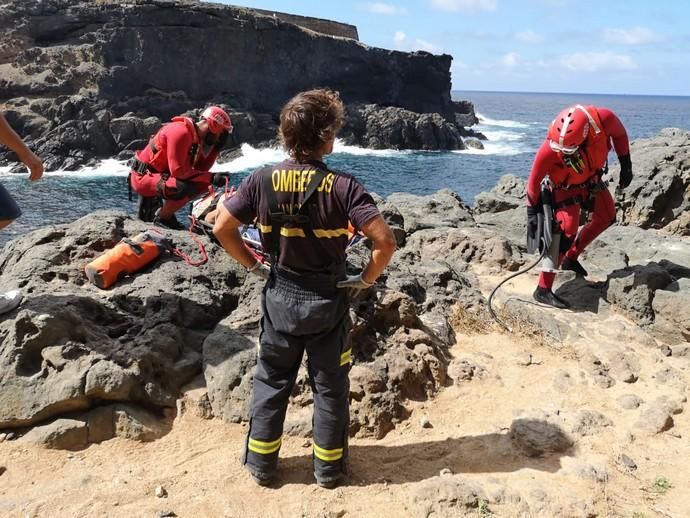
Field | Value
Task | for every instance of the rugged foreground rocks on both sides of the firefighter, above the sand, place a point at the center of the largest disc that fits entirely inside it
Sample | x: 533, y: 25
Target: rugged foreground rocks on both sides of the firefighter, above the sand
x: 80, y: 349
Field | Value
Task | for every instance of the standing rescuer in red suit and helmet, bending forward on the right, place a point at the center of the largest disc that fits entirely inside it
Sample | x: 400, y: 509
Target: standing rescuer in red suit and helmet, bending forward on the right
x: 575, y: 156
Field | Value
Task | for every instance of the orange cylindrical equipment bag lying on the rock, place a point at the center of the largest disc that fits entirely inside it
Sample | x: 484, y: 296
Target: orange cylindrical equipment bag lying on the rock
x: 127, y: 257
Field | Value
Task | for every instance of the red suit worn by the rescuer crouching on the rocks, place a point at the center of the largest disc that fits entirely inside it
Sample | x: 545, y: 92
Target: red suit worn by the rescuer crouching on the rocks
x: 178, y: 169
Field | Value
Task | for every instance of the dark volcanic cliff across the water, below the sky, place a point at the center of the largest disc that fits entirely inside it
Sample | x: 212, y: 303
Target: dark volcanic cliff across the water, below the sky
x: 68, y: 69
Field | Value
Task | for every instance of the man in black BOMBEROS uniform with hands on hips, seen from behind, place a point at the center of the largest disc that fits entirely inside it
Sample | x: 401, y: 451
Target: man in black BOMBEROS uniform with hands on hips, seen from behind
x: 302, y: 209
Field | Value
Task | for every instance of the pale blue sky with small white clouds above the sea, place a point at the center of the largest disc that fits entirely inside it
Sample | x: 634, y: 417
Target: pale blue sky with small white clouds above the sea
x: 583, y: 46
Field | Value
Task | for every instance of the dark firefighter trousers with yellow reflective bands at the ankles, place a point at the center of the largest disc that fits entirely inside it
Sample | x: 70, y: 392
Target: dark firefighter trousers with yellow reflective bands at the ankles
x: 301, y: 316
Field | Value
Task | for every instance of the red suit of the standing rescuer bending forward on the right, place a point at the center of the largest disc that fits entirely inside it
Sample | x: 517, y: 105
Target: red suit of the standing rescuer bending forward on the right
x: 570, y: 187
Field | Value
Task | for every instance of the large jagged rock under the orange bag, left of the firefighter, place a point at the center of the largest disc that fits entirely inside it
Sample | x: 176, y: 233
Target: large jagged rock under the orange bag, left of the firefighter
x: 72, y: 348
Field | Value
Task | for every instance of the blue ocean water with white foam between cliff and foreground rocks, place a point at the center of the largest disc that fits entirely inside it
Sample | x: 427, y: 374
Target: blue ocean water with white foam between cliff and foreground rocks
x: 514, y: 123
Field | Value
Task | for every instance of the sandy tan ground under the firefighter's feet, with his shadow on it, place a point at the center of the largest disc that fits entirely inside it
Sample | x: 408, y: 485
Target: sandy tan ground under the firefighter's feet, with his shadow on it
x: 198, y: 462
